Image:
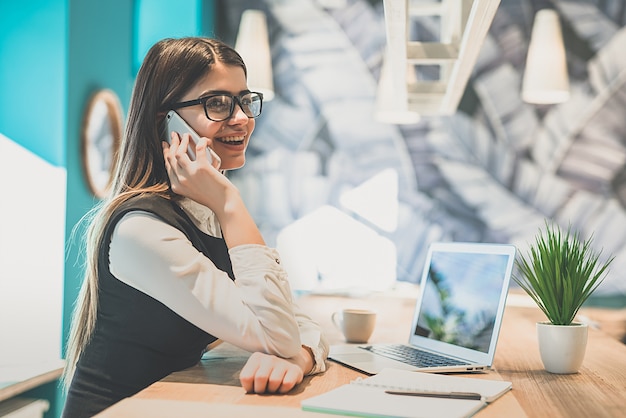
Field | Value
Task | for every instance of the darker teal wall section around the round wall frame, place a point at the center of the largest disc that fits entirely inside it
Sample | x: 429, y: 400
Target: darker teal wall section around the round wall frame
x: 99, y: 56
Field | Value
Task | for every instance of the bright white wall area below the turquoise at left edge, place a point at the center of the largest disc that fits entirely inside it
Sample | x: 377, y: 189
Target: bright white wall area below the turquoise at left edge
x: 32, y: 231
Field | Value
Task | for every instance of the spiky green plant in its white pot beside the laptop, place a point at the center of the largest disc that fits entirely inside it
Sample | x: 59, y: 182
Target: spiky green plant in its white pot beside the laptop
x: 559, y: 272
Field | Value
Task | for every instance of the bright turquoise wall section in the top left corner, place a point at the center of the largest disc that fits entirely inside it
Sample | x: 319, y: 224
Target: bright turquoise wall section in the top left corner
x: 33, y: 75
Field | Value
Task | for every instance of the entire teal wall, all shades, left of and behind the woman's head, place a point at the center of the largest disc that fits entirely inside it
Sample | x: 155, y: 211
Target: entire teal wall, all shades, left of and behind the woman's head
x: 54, y: 55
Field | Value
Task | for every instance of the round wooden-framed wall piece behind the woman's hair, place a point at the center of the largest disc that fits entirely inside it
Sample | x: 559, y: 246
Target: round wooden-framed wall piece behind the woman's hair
x: 100, y: 139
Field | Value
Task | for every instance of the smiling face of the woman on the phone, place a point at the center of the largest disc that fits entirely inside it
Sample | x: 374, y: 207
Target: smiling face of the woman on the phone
x: 230, y: 137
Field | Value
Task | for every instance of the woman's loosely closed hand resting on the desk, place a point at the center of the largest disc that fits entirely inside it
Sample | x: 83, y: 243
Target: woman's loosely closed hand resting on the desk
x: 265, y: 373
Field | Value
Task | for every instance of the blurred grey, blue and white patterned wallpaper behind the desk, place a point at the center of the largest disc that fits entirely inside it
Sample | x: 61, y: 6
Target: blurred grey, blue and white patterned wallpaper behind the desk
x: 492, y: 172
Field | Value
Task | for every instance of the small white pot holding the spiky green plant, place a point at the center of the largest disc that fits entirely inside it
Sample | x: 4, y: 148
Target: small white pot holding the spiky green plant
x: 562, y: 347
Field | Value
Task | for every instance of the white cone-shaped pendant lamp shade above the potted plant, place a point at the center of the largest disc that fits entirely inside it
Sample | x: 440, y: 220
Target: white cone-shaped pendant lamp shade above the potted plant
x: 545, y: 78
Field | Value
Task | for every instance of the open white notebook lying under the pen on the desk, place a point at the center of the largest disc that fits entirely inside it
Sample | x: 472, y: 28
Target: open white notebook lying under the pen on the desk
x: 369, y: 397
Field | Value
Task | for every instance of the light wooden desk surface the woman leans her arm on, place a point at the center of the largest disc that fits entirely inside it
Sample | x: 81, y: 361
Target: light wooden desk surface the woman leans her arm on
x: 597, y: 391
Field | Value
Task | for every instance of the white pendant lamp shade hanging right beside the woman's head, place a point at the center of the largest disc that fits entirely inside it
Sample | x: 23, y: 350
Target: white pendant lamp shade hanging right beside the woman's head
x: 253, y: 45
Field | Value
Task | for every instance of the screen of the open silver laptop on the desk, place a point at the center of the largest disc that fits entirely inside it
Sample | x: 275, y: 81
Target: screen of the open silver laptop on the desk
x: 462, y: 296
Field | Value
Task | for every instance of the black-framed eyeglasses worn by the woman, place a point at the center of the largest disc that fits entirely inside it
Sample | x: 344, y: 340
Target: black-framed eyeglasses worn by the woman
x: 219, y: 107
